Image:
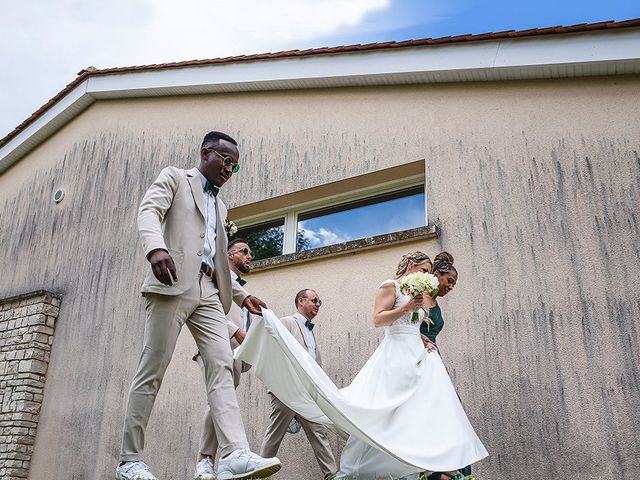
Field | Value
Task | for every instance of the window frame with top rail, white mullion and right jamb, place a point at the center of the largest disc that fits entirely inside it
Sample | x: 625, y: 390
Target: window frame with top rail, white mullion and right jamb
x: 290, y: 214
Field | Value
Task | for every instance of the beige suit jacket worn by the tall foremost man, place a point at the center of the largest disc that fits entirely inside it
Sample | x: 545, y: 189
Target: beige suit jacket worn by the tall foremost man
x: 171, y: 217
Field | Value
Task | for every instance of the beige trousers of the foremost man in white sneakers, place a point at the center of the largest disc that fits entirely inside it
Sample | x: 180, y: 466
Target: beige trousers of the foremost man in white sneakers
x: 201, y: 310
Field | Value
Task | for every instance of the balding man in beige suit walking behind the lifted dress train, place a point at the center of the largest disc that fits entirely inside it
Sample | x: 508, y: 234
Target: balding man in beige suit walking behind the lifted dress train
x: 299, y: 324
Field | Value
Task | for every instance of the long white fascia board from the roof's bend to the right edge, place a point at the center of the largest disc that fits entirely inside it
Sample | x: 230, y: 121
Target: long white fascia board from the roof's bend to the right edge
x: 355, y: 67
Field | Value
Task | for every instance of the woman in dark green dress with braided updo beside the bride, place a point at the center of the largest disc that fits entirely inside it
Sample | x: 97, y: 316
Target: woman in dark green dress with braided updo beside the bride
x: 447, y: 276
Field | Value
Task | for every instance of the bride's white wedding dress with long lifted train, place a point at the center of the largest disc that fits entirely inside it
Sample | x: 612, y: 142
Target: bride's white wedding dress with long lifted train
x: 401, y: 414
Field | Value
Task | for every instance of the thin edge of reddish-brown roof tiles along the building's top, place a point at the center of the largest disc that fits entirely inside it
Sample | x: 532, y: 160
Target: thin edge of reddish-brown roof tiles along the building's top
x: 559, y: 29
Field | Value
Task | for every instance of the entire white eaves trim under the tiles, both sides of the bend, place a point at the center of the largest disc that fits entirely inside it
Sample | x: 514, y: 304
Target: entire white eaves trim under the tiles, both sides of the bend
x: 599, y: 53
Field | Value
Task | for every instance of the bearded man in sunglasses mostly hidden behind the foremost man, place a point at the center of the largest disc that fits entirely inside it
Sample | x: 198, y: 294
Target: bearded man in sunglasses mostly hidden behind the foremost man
x: 239, y: 321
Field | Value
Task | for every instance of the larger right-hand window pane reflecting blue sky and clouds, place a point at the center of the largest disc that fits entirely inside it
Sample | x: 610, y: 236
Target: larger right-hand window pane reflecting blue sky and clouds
x: 387, y: 213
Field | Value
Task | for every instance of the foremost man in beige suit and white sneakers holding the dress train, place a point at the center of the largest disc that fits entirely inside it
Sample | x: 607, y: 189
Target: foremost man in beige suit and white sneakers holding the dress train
x: 181, y: 225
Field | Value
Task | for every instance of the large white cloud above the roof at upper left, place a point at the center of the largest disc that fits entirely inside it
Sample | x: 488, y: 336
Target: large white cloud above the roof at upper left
x: 44, y: 44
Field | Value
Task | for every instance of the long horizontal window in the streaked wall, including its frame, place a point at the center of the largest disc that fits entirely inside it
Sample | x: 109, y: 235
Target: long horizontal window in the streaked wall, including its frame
x: 376, y: 203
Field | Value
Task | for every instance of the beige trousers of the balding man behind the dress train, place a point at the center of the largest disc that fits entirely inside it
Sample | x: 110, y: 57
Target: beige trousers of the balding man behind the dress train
x: 281, y: 416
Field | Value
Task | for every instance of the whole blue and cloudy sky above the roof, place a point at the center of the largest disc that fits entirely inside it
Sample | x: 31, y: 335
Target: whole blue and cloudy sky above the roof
x: 44, y: 44
